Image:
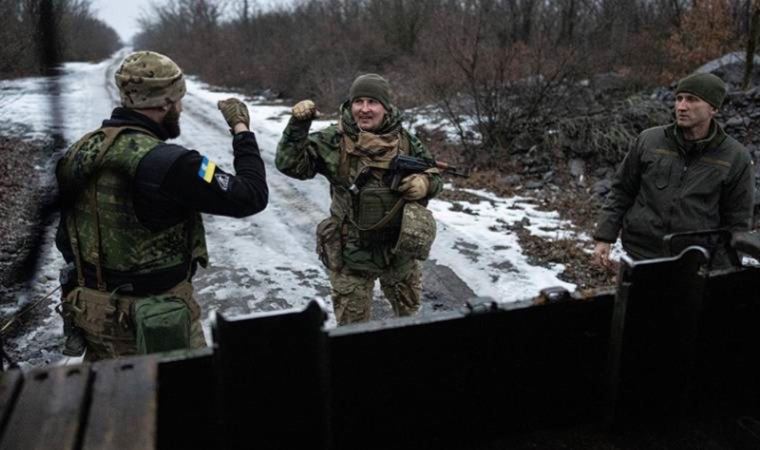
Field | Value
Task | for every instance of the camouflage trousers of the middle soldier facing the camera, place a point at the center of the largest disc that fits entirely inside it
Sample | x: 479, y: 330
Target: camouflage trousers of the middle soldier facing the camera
x: 352, y: 292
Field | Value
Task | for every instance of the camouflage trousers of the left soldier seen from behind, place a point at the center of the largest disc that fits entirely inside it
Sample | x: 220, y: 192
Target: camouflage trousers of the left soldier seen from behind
x: 106, y: 324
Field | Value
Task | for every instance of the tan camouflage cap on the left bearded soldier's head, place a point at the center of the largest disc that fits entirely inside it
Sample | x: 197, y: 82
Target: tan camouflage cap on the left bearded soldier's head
x: 149, y: 80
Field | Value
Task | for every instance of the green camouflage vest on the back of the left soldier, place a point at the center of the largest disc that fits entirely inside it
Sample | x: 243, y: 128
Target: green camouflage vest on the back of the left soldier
x: 97, y: 173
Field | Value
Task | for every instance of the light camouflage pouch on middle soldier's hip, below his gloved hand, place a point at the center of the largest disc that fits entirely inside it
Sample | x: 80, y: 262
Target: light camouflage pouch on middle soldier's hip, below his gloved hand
x: 417, y: 232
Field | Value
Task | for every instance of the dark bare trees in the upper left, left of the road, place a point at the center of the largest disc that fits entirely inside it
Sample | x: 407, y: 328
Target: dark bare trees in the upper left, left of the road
x: 77, y: 35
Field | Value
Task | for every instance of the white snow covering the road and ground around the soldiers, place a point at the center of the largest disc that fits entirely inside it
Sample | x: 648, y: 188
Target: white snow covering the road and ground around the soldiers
x: 267, y: 262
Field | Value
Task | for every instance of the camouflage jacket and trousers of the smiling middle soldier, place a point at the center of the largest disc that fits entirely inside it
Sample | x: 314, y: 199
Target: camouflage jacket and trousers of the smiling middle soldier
x: 357, y: 258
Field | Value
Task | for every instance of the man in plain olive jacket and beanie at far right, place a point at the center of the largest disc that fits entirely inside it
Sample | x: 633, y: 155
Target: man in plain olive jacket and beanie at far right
x: 682, y: 177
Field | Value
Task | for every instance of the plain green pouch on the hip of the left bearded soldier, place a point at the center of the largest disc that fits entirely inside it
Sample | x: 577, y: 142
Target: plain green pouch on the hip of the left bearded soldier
x: 162, y: 323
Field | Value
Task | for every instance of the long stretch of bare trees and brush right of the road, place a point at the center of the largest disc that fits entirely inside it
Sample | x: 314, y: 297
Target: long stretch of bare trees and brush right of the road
x: 505, y: 65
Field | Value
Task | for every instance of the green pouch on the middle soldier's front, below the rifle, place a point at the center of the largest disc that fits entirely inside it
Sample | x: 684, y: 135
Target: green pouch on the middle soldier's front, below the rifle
x: 378, y: 215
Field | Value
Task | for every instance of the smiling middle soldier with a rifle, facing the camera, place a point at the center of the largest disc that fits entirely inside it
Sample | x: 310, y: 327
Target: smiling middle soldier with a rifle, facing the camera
x: 358, y: 242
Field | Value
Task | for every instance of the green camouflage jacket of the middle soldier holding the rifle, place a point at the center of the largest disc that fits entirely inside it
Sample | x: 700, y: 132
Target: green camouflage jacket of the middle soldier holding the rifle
x: 303, y: 155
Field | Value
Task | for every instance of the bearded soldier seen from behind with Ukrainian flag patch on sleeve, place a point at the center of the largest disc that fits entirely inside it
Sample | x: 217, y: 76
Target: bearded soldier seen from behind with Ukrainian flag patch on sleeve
x: 131, y: 222
